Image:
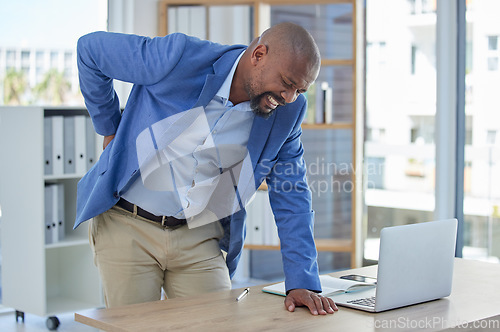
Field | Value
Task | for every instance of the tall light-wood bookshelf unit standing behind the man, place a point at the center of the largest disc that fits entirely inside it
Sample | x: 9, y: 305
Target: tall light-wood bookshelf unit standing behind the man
x: 337, y: 26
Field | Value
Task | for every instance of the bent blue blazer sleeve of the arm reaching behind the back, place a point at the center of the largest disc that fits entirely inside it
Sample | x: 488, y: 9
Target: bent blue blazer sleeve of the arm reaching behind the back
x: 104, y: 56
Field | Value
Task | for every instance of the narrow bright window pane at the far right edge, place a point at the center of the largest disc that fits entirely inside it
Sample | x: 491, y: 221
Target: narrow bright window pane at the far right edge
x: 482, y: 155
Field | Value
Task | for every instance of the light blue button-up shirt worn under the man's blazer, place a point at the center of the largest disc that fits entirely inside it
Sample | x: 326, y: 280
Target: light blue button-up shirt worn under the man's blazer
x: 181, y: 178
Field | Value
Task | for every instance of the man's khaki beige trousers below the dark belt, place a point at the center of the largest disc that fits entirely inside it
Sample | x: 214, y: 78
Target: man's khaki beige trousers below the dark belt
x: 137, y: 257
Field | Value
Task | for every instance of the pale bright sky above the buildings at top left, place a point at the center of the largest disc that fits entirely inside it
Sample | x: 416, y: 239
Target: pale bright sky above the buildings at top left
x: 49, y: 23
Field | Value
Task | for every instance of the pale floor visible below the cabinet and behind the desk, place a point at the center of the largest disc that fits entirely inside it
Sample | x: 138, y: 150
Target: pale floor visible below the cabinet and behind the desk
x: 33, y: 323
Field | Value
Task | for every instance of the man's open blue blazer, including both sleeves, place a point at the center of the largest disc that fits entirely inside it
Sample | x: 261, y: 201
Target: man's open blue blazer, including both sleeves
x: 172, y: 74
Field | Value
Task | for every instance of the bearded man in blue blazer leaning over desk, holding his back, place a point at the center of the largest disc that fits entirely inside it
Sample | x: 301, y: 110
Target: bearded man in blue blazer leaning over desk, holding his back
x: 203, y: 122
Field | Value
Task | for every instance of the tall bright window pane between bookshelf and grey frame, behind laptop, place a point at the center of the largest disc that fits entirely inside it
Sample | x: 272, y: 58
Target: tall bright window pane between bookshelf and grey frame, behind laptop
x: 400, y: 116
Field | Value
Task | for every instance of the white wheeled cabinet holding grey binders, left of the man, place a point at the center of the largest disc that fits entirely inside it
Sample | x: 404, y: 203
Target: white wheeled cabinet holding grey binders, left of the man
x: 39, y: 278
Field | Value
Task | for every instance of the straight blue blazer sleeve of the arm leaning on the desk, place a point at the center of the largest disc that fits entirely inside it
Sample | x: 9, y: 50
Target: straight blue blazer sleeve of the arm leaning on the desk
x: 290, y: 198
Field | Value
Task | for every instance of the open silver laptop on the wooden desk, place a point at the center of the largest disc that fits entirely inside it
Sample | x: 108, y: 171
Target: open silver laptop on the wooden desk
x: 415, y: 265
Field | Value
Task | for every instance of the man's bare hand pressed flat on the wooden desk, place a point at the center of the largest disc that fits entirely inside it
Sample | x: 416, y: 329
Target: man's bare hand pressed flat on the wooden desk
x: 316, y: 303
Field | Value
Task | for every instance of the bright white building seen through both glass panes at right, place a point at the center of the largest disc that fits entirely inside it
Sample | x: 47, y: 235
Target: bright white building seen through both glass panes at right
x: 404, y: 105
